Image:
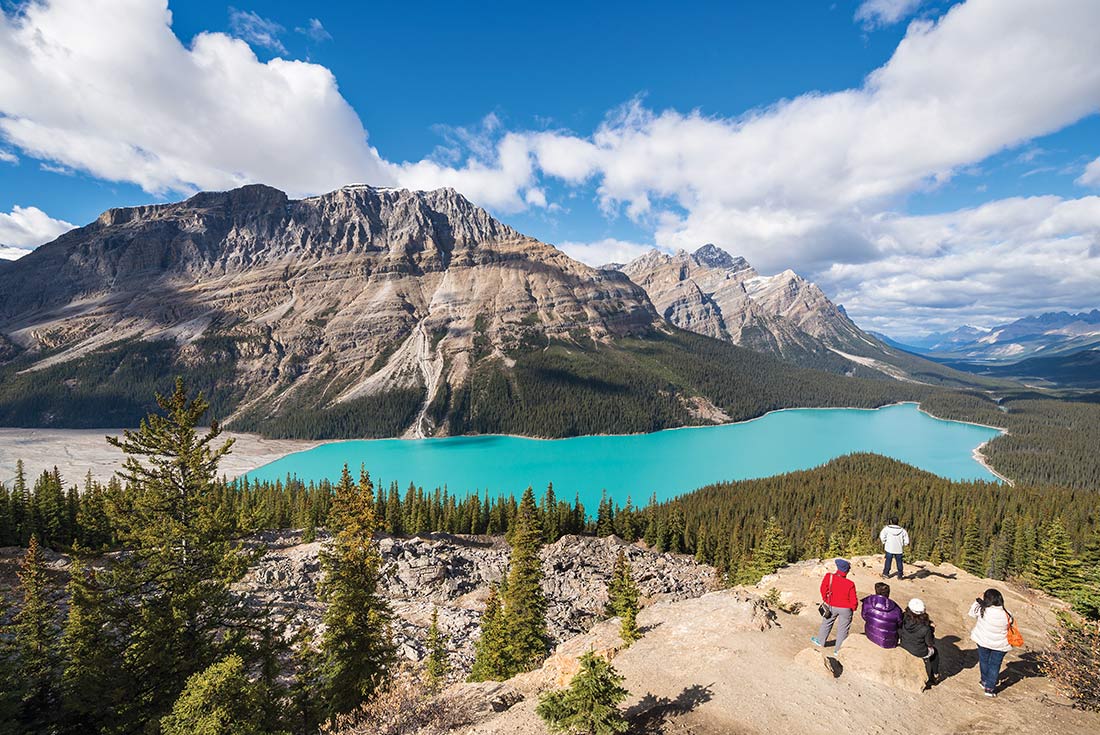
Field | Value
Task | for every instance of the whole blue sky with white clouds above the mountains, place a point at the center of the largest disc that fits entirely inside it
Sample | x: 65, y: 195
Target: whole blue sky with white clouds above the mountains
x: 866, y: 145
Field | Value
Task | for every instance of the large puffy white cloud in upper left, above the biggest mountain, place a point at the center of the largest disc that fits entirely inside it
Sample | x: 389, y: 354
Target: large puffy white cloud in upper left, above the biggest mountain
x: 105, y: 87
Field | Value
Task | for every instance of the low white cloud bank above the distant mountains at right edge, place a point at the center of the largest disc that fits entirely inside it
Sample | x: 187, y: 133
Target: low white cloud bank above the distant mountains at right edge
x: 1007, y: 259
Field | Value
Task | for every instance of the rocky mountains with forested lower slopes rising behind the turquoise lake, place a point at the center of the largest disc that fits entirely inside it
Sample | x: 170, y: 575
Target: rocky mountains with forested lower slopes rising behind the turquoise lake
x: 371, y: 312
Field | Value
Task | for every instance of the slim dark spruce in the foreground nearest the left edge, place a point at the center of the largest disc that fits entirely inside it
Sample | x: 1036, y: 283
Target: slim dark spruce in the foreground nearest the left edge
x: 36, y: 639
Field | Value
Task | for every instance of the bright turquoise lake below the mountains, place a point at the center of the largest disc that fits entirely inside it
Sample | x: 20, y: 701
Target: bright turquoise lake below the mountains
x: 668, y: 463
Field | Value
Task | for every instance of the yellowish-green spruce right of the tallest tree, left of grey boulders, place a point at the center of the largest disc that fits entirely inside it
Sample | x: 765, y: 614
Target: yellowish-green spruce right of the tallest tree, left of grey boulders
x: 357, y: 649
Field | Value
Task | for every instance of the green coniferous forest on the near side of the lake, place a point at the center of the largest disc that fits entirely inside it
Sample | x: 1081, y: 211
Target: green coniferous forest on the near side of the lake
x: 156, y: 637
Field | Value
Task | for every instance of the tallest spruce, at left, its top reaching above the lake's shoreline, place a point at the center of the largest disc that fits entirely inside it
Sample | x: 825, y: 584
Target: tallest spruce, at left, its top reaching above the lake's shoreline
x: 171, y: 595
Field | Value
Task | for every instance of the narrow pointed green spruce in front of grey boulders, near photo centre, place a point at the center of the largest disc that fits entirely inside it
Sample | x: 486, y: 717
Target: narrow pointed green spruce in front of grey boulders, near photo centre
x: 524, y: 604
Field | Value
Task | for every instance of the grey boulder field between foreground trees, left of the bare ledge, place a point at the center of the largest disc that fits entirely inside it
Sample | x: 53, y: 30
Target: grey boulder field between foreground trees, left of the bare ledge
x: 453, y: 575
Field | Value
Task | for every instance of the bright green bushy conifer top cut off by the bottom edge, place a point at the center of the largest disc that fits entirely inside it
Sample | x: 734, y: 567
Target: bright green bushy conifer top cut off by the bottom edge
x: 219, y: 700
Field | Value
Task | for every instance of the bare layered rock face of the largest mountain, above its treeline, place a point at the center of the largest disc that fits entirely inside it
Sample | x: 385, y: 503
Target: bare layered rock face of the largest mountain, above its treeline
x: 358, y: 293
